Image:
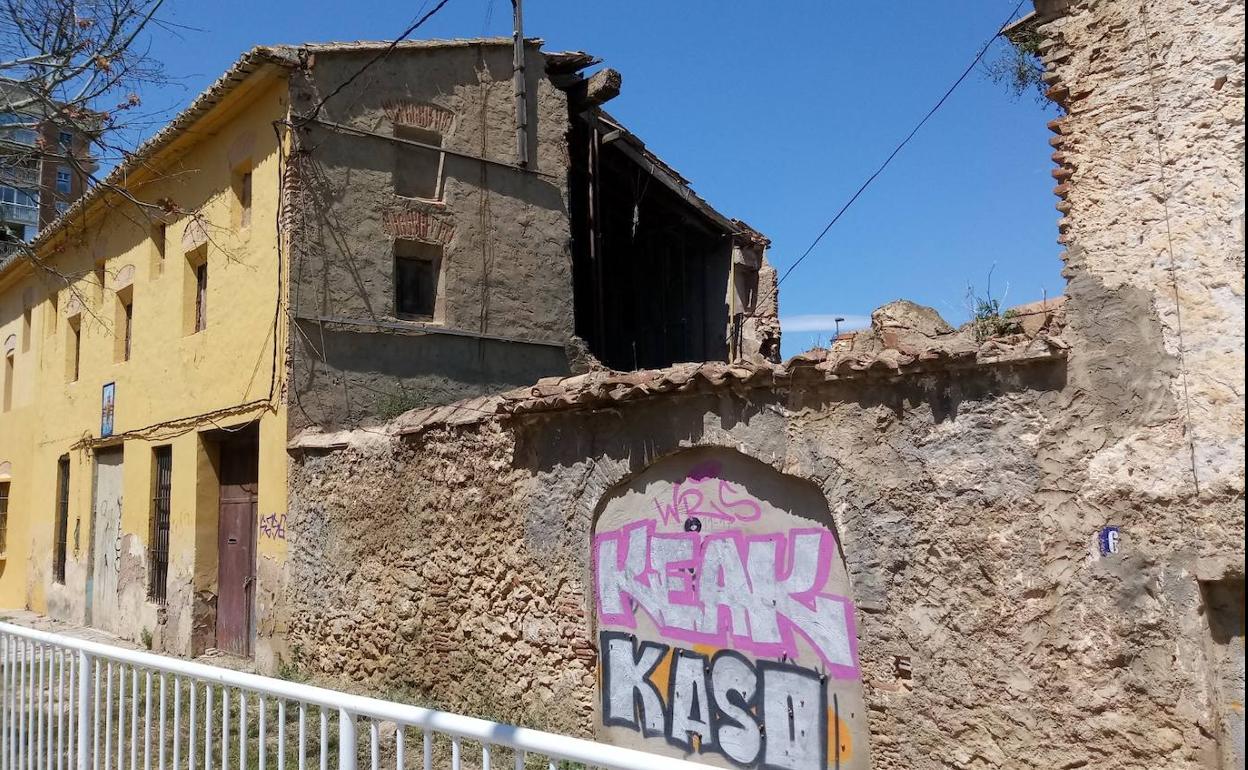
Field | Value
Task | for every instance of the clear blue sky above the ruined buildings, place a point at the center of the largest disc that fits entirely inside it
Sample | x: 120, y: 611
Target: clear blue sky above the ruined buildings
x: 777, y: 113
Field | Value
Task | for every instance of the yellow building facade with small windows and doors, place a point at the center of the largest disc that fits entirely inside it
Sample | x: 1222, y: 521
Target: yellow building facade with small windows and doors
x: 143, y: 434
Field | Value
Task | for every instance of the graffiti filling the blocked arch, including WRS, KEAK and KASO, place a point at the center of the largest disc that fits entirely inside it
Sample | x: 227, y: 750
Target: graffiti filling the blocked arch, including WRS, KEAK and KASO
x: 724, y: 628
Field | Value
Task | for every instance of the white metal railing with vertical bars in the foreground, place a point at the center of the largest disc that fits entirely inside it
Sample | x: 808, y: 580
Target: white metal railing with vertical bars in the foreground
x: 71, y: 704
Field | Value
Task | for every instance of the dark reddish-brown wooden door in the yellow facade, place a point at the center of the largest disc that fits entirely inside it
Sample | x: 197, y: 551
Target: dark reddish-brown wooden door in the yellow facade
x: 236, y: 545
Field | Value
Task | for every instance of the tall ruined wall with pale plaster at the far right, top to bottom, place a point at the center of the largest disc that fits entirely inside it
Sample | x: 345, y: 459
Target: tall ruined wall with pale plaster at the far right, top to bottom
x: 1151, y: 169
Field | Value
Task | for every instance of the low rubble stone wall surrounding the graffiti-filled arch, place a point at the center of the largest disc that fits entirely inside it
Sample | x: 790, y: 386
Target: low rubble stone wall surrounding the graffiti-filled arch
x: 469, y: 582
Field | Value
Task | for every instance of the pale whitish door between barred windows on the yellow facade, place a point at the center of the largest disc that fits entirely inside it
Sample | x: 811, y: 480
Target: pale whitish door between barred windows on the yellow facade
x: 103, y: 598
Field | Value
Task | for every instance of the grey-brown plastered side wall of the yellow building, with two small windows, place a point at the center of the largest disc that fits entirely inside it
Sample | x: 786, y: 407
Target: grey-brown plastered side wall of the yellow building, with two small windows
x: 507, y: 265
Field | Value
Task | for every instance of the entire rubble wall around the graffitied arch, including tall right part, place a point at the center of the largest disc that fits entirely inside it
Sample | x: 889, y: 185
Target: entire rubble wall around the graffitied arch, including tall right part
x: 970, y: 504
